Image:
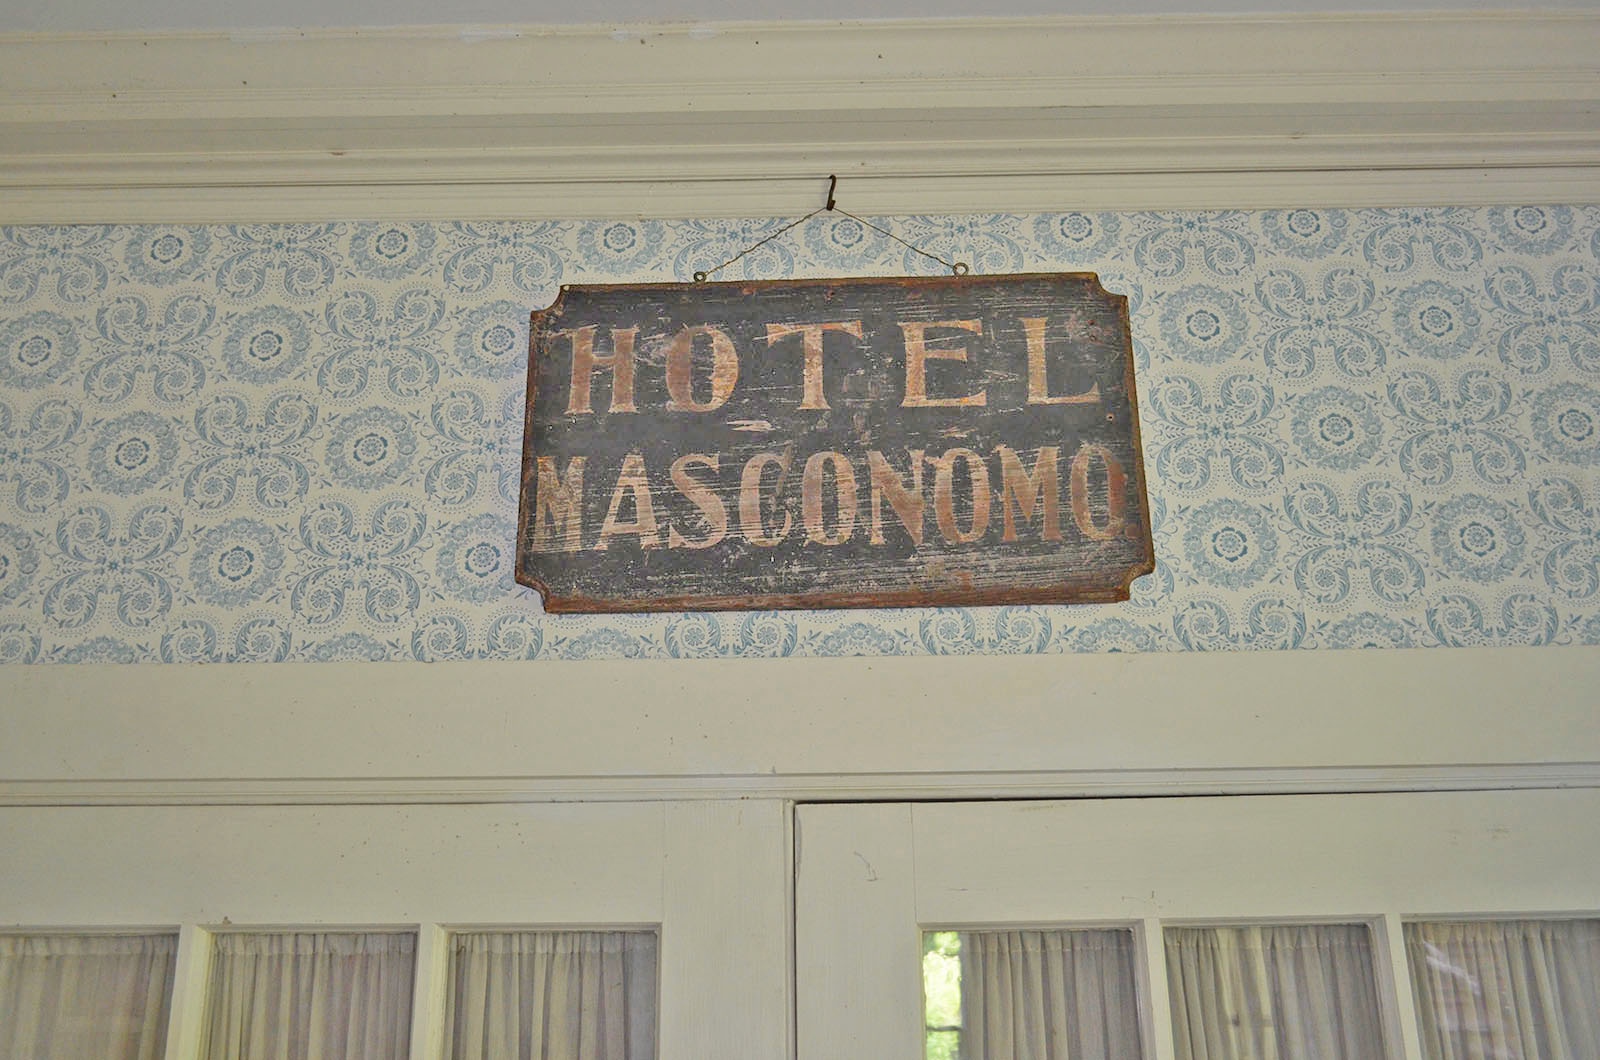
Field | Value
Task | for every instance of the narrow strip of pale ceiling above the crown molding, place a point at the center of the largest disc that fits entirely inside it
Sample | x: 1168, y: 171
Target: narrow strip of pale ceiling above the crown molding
x: 223, y: 15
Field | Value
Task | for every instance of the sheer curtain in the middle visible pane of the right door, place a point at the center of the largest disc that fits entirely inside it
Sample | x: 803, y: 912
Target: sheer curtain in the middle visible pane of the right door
x: 1274, y: 994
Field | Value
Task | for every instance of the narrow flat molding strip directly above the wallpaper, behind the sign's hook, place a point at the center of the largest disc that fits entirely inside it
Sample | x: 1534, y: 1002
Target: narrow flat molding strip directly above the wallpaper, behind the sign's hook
x: 198, y: 204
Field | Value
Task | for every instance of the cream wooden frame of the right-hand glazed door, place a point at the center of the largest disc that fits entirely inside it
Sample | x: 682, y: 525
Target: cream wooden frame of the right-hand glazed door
x: 871, y: 880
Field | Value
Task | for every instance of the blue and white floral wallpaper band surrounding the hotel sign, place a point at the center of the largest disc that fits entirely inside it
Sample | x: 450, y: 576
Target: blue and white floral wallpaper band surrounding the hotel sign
x: 302, y: 443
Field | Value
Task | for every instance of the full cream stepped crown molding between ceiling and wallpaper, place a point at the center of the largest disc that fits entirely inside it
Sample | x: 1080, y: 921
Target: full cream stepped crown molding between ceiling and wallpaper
x: 742, y: 119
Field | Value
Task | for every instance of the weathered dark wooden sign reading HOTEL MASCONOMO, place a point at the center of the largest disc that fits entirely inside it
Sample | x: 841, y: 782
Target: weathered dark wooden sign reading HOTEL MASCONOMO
x: 890, y: 443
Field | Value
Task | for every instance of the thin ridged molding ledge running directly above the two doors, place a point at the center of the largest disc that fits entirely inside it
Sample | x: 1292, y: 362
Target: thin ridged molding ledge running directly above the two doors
x: 801, y: 789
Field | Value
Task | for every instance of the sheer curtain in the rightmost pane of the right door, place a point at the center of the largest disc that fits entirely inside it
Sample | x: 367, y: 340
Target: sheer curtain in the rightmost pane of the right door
x: 1508, y: 990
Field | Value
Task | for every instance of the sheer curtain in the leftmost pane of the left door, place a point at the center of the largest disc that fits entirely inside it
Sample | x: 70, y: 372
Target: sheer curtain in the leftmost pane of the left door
x: 76, y: 997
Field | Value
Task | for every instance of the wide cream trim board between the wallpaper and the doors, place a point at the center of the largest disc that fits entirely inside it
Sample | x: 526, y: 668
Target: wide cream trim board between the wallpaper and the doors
x: 970, y: 728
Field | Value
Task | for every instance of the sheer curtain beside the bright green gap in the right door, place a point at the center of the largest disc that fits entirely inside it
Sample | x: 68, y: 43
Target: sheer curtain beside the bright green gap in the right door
x: 1049, y: 995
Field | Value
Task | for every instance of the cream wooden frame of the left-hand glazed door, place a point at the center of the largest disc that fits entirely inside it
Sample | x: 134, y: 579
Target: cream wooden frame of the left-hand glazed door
x: 708, y: 877
